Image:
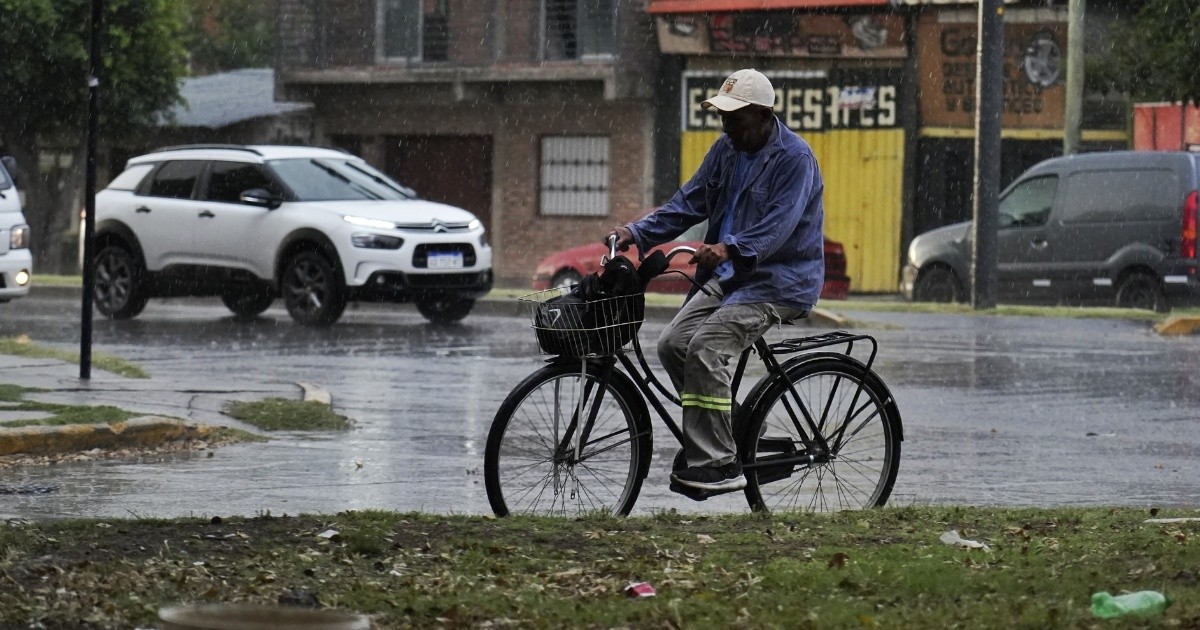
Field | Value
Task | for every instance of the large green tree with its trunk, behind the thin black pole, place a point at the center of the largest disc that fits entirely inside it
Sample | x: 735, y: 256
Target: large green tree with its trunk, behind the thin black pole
x: 44, y: 87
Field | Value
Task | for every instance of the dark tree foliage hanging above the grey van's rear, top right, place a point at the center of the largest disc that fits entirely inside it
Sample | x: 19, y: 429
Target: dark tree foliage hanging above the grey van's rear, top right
x: 1156, y: 53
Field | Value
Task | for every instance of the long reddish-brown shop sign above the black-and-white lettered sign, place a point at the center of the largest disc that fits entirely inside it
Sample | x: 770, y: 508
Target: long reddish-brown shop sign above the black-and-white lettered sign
x: 863, y: 35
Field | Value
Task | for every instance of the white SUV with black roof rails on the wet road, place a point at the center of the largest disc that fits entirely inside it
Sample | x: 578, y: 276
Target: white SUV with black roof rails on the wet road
x: 250, y: 224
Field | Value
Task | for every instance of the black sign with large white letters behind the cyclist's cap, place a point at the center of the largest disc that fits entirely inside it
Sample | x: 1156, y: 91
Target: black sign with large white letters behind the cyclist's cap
x: 808, y: 101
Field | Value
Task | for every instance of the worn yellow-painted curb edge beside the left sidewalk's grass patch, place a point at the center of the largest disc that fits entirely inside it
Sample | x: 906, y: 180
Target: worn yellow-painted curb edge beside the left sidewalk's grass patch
x: 142, y: 431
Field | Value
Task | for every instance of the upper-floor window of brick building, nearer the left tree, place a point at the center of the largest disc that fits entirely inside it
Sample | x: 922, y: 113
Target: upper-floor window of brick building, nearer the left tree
x: 417, y: 31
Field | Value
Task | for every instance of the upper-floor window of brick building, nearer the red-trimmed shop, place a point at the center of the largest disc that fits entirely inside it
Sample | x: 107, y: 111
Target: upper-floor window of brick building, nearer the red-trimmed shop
x: 579, y: 29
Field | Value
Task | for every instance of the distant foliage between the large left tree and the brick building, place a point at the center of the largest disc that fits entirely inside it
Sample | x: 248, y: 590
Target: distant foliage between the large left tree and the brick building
x: 230, y: 35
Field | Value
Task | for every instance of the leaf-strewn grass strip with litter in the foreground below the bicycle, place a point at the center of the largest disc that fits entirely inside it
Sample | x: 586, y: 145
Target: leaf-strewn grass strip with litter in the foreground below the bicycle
x: 874, y: 569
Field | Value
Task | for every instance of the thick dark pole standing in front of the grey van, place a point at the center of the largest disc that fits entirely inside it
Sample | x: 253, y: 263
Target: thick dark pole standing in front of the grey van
x: 989, y: 107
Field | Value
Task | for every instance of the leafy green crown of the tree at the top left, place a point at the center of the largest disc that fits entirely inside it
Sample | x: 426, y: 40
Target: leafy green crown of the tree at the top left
x: 44, y: 81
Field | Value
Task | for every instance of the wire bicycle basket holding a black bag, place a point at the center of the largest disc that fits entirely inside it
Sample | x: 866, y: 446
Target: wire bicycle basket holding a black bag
x: 571, y: 325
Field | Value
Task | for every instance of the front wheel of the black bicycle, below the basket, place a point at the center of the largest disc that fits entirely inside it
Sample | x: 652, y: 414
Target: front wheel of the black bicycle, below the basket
x: 521, y: 470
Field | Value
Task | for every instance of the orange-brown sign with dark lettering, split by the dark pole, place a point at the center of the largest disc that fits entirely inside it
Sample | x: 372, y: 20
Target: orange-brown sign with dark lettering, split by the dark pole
x: 1035, y: 70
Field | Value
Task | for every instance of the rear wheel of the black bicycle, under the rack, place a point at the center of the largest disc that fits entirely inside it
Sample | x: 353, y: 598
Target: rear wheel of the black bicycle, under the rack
x: 854, y: 412
